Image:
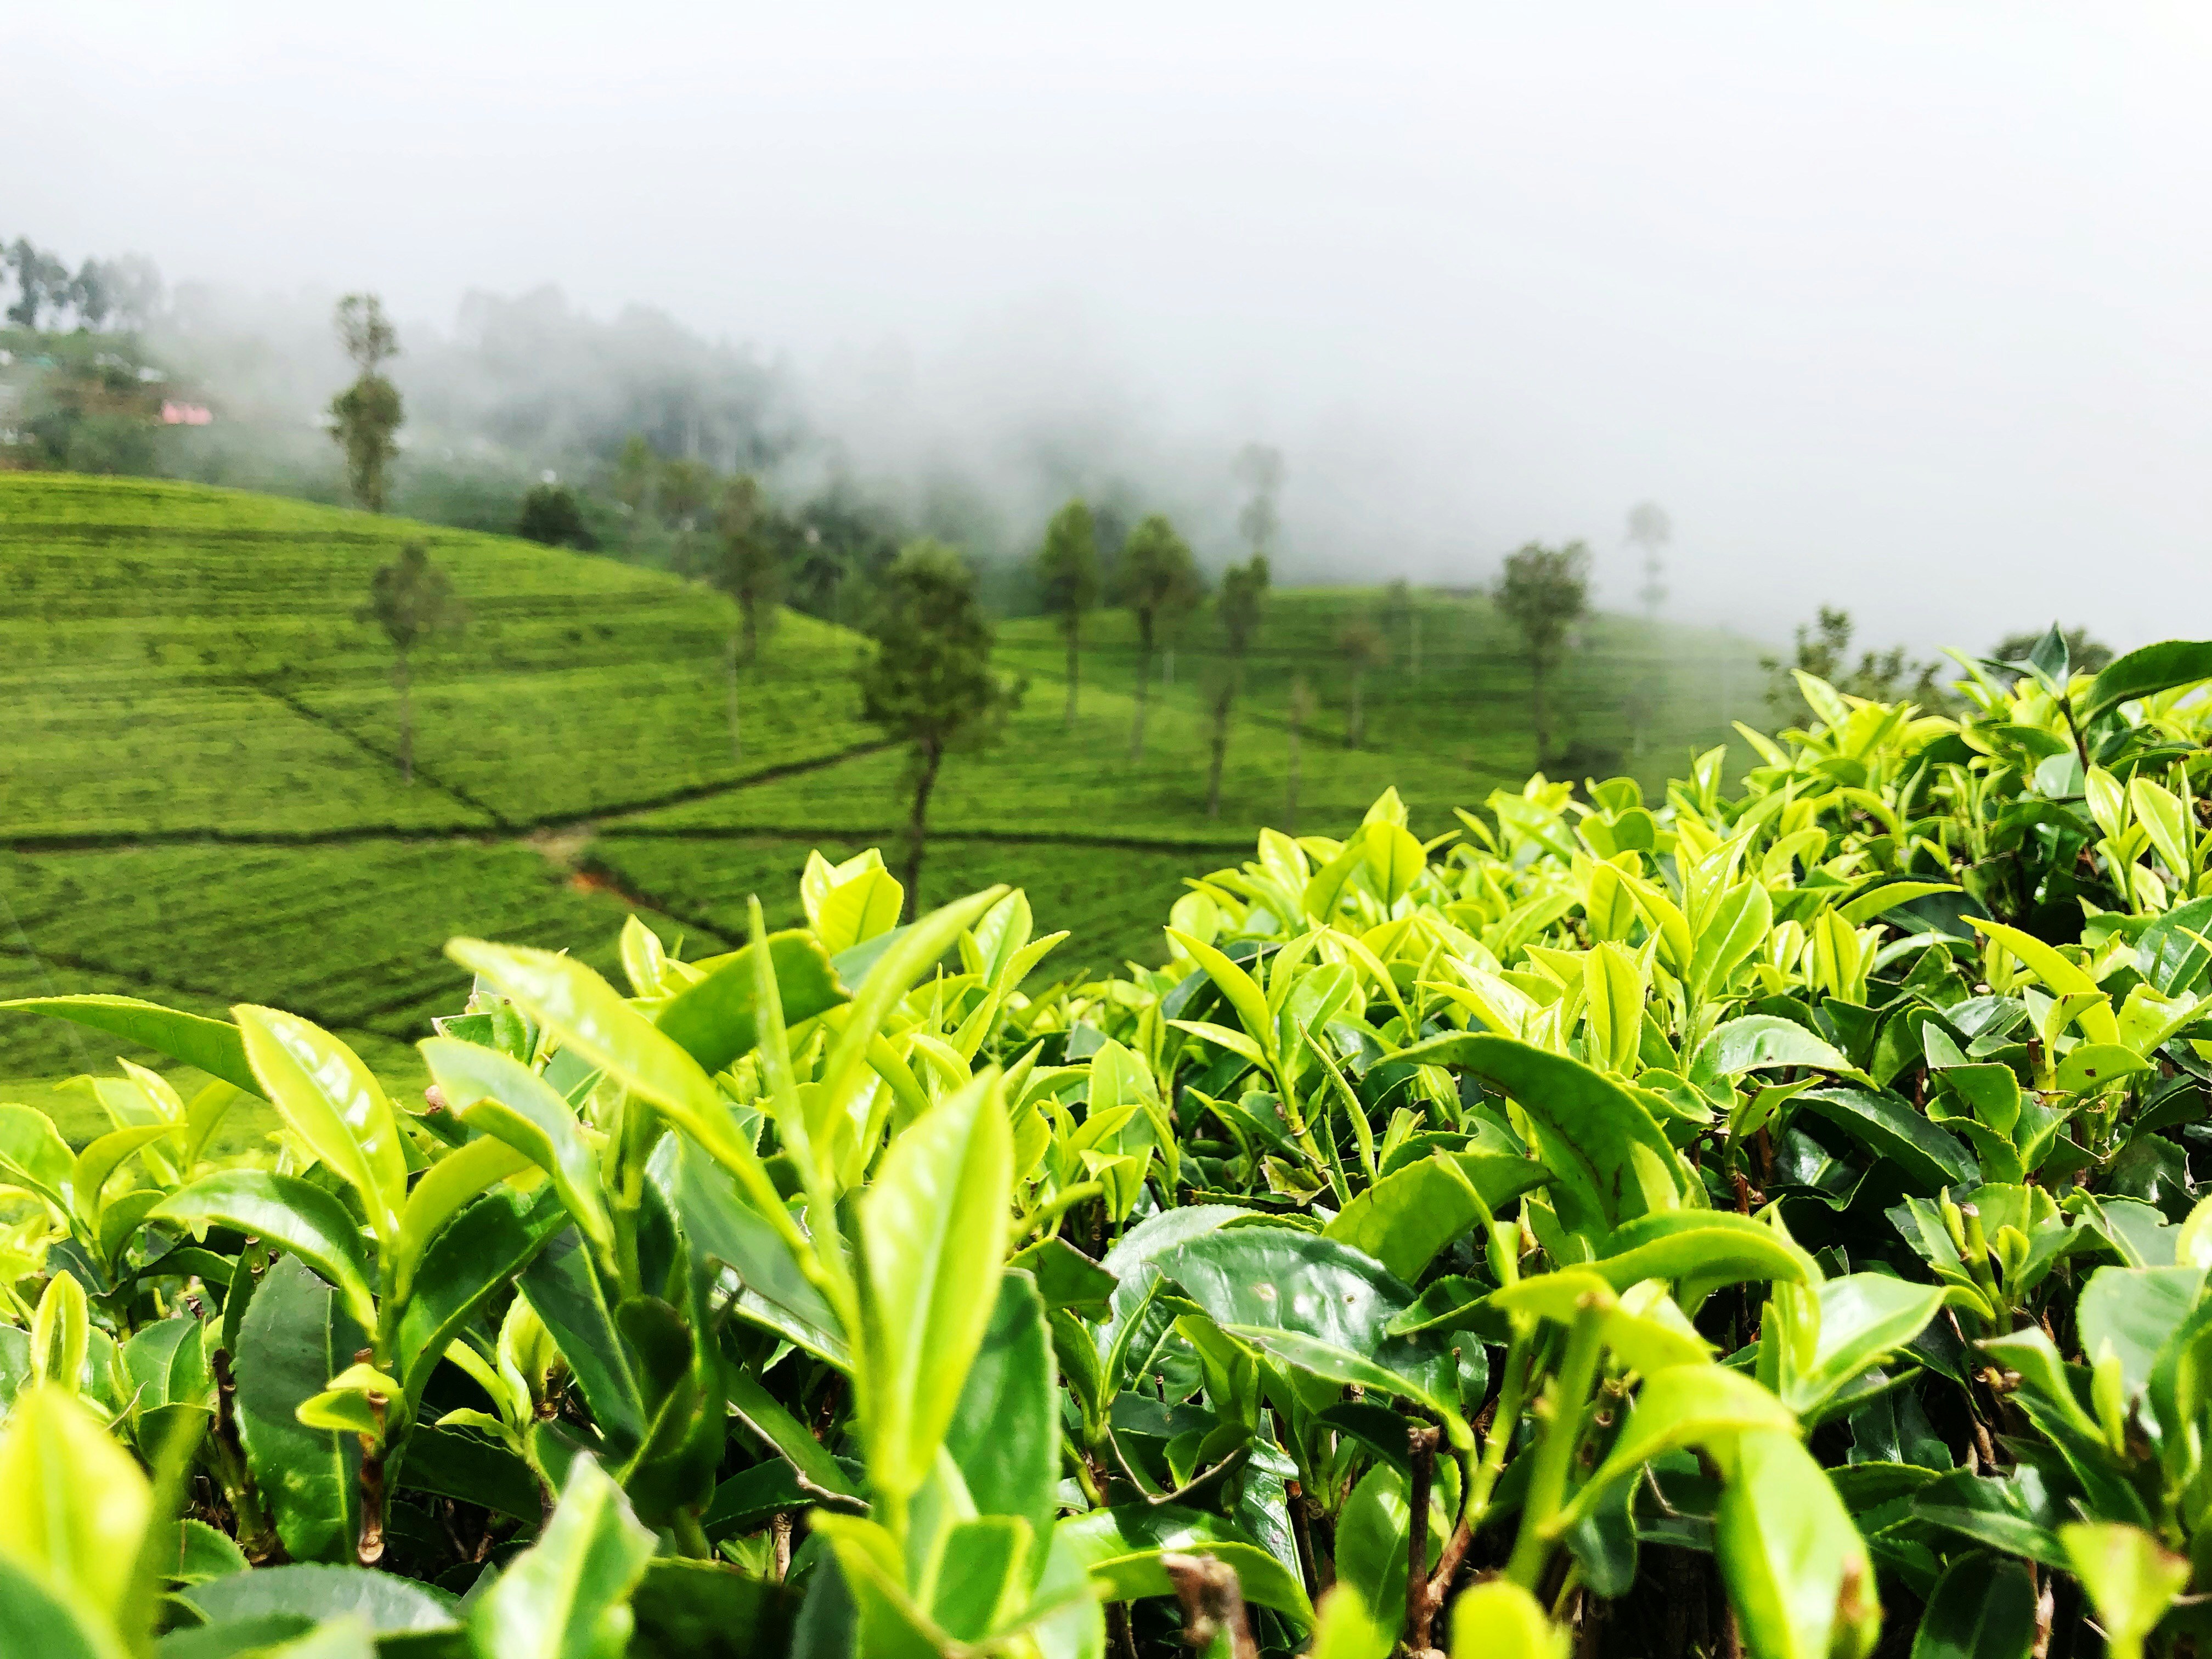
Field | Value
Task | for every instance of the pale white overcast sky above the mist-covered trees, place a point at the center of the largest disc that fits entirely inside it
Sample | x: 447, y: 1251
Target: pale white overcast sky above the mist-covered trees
x: 1897, y: 306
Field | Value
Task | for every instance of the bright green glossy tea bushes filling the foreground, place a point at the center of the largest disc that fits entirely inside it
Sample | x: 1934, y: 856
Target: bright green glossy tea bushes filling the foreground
x: 1682, y: 1229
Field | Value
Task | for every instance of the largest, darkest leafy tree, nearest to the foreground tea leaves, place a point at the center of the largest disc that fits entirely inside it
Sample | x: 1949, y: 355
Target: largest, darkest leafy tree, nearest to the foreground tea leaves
x: 928, y: 685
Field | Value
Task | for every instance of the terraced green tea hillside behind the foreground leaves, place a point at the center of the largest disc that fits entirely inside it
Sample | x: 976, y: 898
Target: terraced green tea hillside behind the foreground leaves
x: 200, y: 797
